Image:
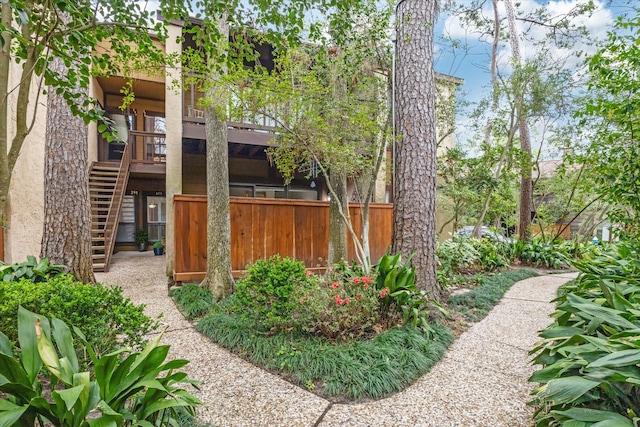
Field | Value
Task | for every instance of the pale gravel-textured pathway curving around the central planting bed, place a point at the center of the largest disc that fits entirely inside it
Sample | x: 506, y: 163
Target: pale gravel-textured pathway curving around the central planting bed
x: 481, y: 381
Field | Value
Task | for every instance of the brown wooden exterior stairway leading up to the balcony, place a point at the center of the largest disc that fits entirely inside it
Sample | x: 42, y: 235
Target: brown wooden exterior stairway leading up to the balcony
x: 107, y: 184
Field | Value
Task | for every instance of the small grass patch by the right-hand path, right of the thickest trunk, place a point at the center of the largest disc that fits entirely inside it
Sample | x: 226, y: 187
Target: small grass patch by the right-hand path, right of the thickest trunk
x: 475, y: 304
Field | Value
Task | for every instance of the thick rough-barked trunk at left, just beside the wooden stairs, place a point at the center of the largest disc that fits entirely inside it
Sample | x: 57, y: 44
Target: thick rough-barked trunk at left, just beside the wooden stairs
x: 66, y: 237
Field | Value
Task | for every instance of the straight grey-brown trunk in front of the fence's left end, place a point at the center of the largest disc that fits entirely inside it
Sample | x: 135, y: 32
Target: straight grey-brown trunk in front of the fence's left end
x: 218, y: 279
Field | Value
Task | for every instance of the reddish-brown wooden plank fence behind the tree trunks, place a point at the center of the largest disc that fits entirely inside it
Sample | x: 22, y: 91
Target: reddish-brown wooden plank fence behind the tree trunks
x: 261, y: 228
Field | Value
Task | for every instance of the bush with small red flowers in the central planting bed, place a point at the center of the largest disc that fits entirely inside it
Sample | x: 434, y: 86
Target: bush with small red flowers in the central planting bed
x: 339, y: 306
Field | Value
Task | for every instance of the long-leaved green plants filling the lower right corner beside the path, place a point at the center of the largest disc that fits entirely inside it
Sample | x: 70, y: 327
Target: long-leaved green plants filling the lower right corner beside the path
x: 590, y: 354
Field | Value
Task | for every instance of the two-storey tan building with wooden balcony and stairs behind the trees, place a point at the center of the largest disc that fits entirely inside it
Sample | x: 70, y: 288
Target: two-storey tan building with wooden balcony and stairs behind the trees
x: 134, y: 184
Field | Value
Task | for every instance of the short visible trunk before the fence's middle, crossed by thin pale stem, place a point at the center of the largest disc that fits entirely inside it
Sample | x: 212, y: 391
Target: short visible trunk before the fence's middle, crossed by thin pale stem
x: 337, y: 226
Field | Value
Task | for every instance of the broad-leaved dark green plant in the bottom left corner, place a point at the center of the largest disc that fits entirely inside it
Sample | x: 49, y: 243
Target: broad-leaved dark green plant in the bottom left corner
x: 139, y: 389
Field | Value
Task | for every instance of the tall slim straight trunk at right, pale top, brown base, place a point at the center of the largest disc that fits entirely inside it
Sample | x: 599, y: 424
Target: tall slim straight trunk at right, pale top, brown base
x: 526, y: 187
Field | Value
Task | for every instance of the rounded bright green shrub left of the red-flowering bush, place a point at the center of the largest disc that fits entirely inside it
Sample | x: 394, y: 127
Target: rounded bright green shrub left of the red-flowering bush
x: 265, y: 294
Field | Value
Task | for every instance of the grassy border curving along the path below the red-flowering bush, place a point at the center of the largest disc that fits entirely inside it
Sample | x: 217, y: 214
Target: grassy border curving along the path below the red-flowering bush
x: 352, y: 370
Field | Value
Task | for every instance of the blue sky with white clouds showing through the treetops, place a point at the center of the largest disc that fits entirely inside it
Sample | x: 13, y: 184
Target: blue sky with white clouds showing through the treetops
x: 471, y: 61
